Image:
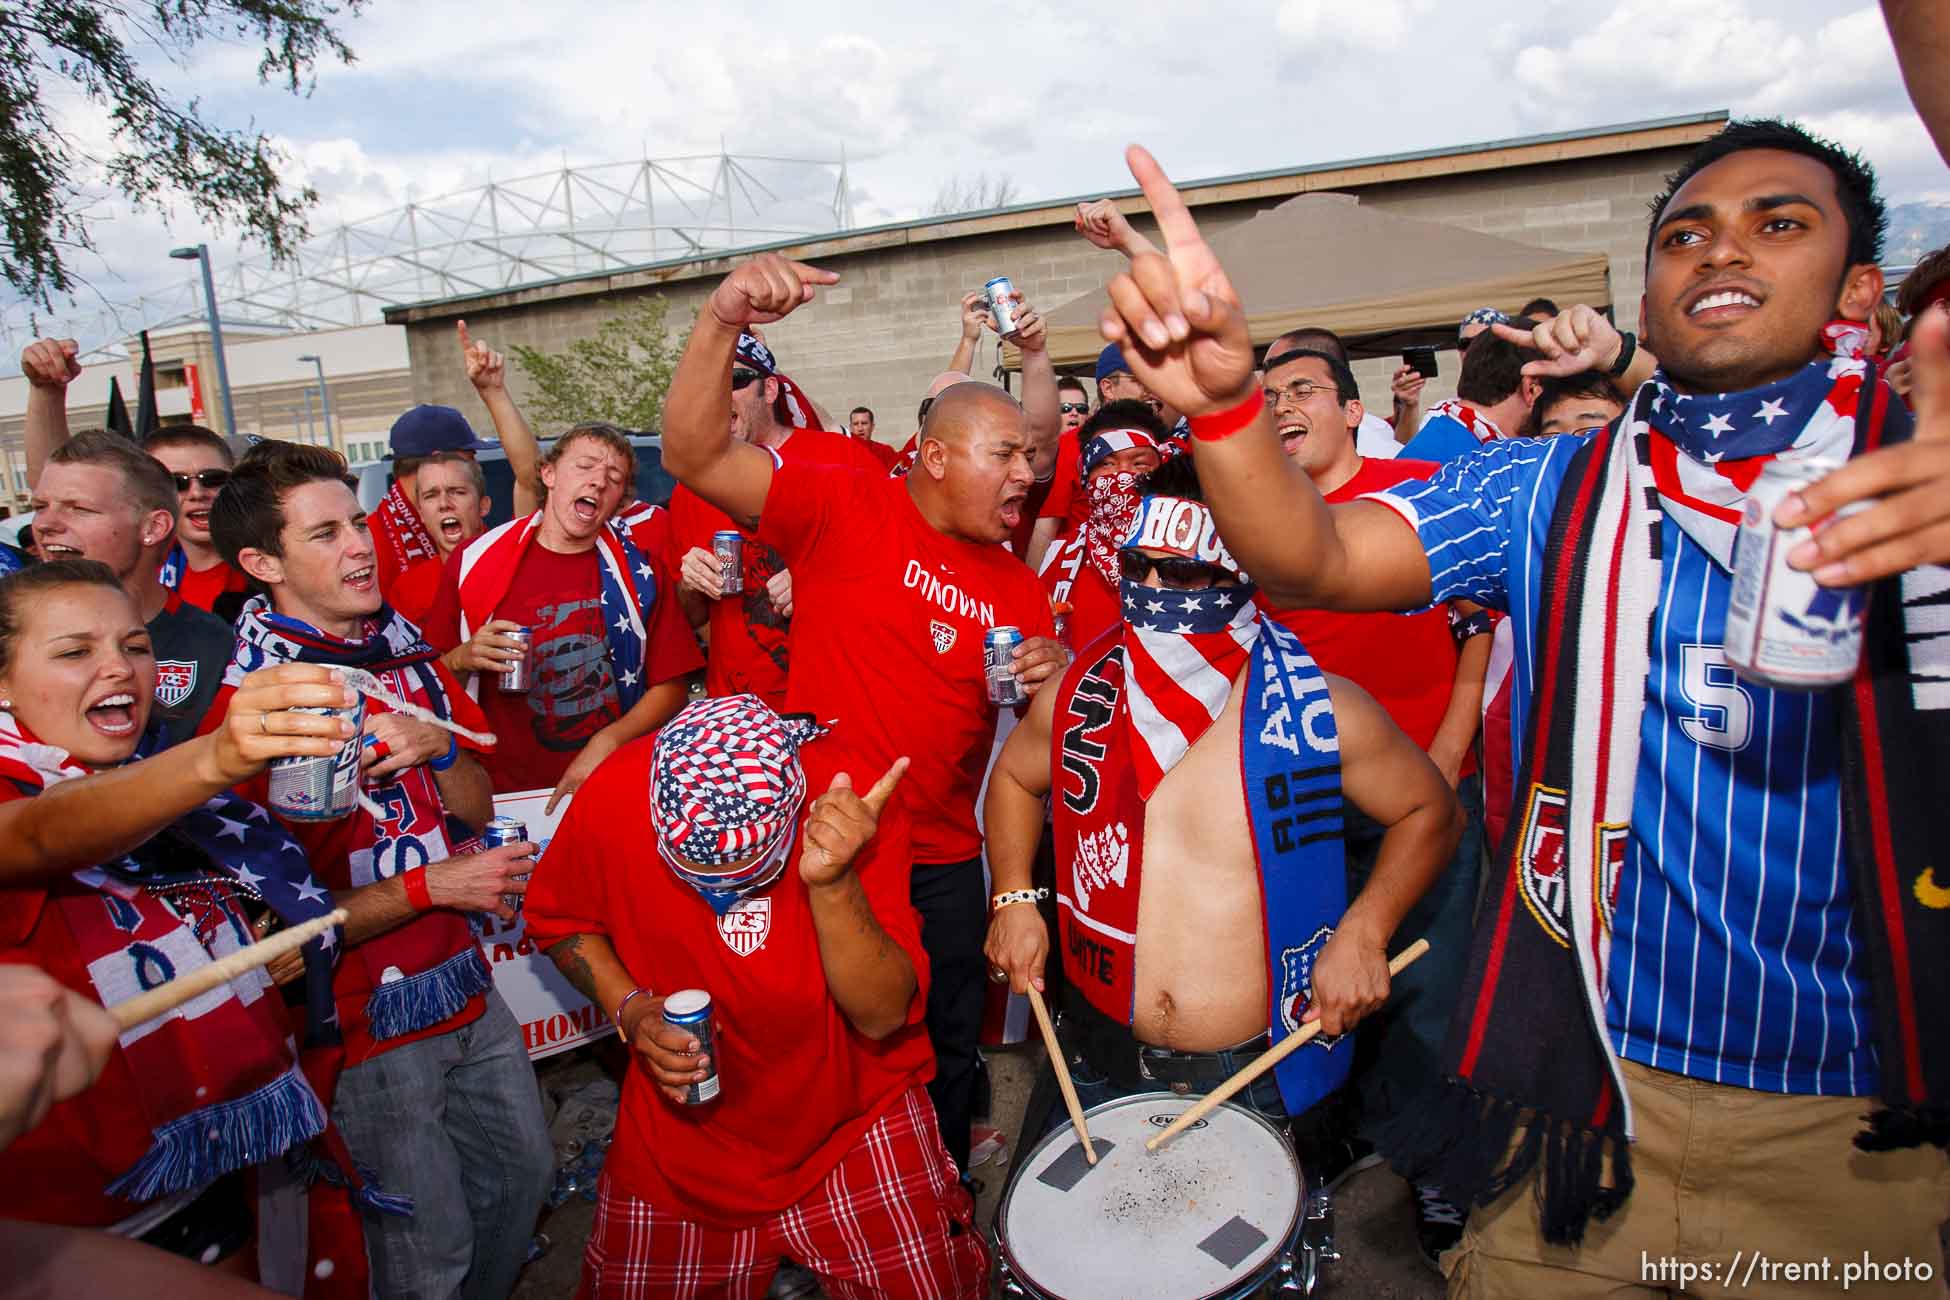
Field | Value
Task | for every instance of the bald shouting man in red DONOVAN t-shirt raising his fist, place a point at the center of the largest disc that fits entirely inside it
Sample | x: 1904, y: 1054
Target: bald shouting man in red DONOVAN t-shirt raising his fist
x: 894, y: 586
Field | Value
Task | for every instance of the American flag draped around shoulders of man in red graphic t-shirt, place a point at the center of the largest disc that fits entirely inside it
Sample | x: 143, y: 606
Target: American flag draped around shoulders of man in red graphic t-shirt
x: 629, y: 593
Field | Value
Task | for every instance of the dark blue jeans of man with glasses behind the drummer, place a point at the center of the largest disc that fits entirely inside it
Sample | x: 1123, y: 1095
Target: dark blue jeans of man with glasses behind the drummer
x: 1401, y: 1048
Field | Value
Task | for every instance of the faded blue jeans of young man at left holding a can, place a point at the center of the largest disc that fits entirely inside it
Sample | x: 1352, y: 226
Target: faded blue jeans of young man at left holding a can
x: 453, y: 1122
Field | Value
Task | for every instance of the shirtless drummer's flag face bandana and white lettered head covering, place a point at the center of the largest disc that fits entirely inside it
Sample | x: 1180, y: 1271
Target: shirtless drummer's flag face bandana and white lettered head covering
x: 1185, y: 646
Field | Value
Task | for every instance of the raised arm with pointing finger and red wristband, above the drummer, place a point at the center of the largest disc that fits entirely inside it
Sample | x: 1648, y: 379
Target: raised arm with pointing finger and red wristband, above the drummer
x: 1185, y: 334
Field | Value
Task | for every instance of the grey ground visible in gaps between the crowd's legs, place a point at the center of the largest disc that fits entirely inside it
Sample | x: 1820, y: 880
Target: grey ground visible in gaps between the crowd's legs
x: 1374, y: 1211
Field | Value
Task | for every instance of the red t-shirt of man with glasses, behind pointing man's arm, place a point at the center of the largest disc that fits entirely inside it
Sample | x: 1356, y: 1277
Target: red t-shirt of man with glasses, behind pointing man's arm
x: 1407, y: 662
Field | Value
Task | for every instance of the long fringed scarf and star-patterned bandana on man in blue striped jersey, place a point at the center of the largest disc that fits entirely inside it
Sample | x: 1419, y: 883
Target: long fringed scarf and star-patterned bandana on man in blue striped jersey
x: 1532, y: 1075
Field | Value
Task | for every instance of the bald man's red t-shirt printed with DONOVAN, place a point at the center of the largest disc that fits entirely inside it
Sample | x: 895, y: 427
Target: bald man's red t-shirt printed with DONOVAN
x: 886, y: 636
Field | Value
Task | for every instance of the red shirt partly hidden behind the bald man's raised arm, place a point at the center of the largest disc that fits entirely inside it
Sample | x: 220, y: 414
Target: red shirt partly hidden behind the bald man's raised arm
x: 748, y: 650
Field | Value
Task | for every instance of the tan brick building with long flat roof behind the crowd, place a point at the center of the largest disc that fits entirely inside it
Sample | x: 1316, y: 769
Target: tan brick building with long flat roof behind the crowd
x: 894, y: 321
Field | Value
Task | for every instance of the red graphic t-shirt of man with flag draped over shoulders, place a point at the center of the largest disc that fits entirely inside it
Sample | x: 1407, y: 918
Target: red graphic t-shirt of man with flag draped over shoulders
x: 559, y: 597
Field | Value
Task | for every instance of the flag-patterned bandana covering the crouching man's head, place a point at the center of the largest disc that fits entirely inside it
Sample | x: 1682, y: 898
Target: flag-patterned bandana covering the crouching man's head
x: 726, y: 784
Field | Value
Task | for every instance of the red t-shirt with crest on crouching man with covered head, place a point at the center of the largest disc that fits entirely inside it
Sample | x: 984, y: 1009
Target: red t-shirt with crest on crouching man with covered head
x: 800, y: 1085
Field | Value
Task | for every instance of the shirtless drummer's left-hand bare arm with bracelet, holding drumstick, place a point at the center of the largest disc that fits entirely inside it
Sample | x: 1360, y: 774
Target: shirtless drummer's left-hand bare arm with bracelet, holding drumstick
x: 1013, y: 823
